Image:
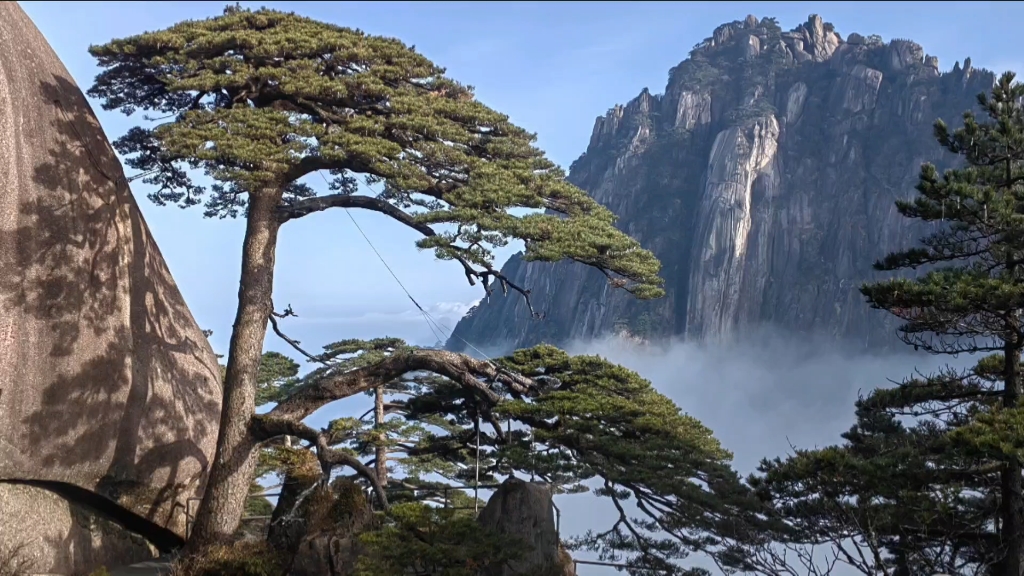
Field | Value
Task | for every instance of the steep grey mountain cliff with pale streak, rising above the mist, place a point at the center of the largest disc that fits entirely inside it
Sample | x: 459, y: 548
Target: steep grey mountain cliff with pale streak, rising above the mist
x: 764, y: 179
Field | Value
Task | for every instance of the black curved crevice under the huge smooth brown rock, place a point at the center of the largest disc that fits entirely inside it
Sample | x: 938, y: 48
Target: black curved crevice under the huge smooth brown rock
x: 162, y: 539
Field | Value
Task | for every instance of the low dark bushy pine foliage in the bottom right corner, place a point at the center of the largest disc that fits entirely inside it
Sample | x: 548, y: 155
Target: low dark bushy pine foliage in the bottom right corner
x: 892, y: 500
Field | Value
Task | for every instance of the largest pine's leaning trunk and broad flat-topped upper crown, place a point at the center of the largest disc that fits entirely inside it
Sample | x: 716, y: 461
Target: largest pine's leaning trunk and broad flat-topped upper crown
x: 260, y: 101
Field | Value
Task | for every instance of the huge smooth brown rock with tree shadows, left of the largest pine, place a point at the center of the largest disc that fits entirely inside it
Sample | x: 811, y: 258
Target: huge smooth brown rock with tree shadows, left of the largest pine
x: 107, y: 384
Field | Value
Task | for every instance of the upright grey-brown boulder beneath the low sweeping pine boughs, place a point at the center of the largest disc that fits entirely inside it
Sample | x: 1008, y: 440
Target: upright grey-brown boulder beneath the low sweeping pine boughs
x: 523, y: 511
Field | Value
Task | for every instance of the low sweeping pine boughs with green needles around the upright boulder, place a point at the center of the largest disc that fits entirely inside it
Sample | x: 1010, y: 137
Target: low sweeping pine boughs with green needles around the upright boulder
x: 588, y: 423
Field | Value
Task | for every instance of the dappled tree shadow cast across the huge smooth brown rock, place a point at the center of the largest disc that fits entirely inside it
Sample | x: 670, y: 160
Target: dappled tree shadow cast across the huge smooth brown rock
x: 121, y: 387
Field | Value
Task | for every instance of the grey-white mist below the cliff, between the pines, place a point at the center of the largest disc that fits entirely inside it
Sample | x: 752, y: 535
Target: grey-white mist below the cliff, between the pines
x: 762, y: 397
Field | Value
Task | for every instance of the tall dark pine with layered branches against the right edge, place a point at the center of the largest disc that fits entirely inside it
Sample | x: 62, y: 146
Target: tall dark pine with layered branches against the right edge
x: 971, y: 301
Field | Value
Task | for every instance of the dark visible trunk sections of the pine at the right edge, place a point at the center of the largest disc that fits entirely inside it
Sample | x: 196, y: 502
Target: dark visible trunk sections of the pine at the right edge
x: 1010, y: 482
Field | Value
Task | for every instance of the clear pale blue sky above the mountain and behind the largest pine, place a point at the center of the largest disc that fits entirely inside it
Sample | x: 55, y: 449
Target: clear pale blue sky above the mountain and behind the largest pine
x: 553, y: 67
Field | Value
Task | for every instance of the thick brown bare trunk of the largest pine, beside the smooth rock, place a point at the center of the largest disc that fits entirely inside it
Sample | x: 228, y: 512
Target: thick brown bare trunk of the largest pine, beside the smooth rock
x: 232, y: 471
